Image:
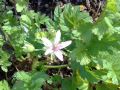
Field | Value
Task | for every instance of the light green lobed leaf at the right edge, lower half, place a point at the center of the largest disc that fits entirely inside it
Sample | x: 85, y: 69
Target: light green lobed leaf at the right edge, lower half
x: 110, y: 61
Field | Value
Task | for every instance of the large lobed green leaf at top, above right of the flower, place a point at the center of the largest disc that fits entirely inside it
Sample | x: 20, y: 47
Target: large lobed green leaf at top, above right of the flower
x: 73, y: 18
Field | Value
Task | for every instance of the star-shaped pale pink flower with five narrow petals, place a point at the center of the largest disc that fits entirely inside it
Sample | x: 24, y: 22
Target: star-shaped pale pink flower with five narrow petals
x: 56, y: 46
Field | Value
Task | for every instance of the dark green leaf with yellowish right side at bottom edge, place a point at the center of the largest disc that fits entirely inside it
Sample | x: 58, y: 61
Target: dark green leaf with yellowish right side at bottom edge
x: 75, y: 82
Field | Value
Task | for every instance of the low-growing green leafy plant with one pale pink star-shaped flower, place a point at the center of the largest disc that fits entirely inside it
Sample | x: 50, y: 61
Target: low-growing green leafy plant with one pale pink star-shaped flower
x: 91, y: 61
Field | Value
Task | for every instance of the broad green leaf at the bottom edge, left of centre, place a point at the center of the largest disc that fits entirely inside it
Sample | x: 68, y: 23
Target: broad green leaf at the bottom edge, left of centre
x: 29, y: 81
